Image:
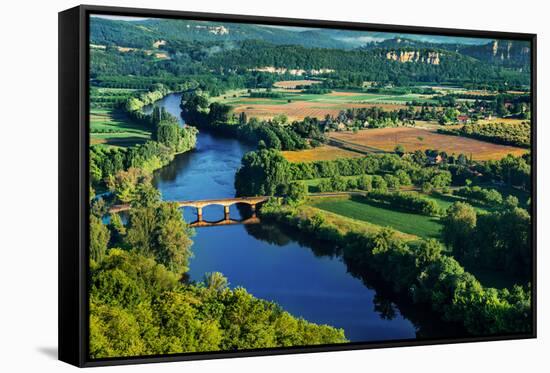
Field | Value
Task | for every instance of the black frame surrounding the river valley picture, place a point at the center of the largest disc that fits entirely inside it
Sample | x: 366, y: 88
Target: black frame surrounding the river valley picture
x: 74, y: 191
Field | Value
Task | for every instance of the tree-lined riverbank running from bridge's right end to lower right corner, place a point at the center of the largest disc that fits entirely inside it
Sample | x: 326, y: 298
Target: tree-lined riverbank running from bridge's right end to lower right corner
x: 419, y: 271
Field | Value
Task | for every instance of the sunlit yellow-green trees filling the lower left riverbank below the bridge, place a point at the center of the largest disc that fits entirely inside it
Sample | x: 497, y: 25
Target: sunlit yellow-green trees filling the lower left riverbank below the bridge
x: 142, y: 304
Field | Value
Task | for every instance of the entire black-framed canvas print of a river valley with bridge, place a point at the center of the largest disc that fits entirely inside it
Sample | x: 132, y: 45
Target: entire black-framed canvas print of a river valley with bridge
x: 234, y: 186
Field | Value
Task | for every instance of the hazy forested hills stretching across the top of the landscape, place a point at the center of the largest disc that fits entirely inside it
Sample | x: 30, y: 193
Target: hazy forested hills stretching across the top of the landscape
x: 226, y: 56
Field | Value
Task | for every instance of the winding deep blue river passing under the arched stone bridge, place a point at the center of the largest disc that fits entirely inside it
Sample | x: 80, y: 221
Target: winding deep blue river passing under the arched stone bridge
x: 272, y: 263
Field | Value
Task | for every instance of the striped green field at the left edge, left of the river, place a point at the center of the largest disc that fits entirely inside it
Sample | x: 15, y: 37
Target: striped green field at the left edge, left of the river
x: 113, y: 127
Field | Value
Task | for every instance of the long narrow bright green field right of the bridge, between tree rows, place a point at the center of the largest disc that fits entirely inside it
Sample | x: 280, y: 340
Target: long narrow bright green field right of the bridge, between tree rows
x: 419, y: 225
